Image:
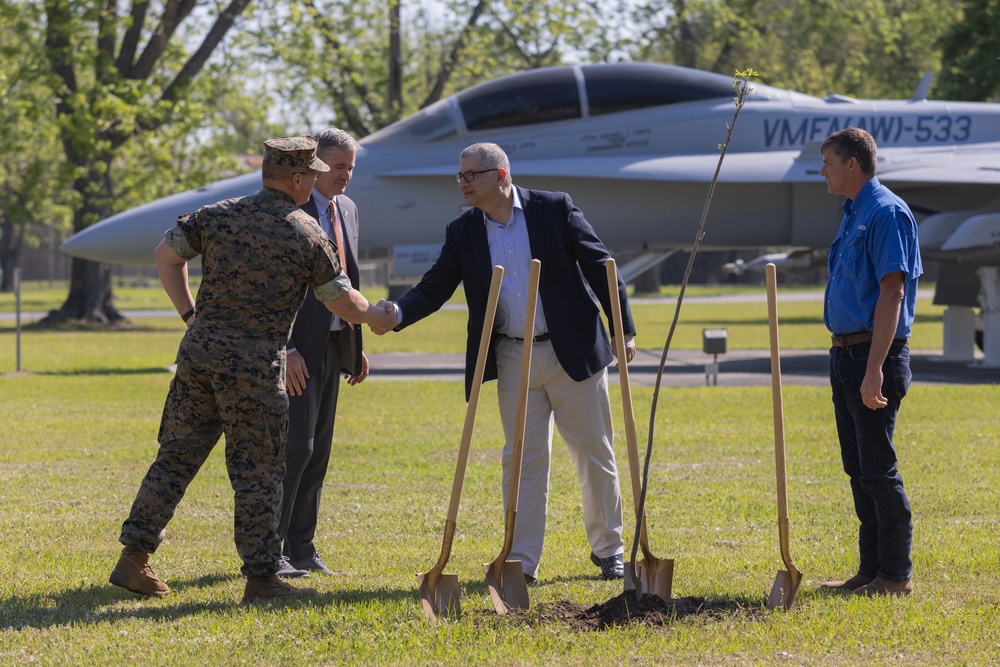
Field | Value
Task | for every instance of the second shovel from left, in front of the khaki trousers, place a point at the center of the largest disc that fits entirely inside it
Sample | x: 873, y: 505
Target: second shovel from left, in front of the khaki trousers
x: 505, y: 577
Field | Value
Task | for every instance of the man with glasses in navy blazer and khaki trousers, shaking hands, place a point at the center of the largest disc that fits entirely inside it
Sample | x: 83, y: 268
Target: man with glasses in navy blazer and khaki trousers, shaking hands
x: 510, y: 226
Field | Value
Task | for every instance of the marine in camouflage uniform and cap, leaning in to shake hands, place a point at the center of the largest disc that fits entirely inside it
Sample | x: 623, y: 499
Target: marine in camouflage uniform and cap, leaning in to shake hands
x: 259, y: 253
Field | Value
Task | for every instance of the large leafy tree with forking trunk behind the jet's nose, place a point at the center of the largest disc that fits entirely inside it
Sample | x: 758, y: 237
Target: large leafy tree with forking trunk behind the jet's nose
x: 117, y: 78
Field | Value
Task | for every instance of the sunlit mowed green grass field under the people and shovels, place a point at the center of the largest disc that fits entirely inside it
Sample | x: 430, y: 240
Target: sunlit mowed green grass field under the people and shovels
x: 78, y: 431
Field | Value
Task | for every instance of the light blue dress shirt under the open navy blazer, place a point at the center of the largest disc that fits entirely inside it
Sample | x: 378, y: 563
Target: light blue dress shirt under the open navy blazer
x: 510, y: 248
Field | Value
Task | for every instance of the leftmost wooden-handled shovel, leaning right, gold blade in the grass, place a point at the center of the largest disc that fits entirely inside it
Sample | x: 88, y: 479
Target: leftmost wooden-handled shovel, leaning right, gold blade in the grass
x: 439, y: 591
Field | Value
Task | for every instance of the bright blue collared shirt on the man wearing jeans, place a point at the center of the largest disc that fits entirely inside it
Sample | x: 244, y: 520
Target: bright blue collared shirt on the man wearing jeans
x: 878, y: 236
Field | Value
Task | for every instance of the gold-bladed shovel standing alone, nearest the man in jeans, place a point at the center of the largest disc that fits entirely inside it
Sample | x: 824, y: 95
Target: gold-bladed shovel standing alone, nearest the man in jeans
x: 786, y: 584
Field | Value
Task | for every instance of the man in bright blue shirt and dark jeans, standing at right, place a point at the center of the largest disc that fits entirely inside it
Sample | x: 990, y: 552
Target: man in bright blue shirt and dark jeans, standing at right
x: 874, y: 265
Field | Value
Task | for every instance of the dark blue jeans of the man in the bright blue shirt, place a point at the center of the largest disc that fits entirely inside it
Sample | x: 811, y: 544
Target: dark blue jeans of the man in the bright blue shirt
x: 886, y: 532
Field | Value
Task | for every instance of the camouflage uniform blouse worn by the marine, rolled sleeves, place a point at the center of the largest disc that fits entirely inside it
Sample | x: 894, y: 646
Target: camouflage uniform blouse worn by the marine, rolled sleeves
x: 258, y: 255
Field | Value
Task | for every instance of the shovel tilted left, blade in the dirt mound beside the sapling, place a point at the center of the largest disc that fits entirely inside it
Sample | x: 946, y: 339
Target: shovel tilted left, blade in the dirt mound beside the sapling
x: 655, y: 574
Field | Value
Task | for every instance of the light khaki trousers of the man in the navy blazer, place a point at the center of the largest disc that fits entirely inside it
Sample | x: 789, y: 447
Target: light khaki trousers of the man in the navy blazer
x: 582, y: 413
